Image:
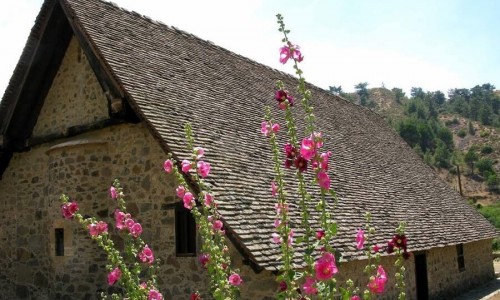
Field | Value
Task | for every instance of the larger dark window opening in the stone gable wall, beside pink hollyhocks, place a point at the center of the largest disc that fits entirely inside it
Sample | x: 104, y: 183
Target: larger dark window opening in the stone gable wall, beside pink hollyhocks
x: 185, y: 232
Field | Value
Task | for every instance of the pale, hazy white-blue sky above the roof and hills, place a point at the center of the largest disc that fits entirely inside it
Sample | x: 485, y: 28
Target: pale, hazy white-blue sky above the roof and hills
x: 429, y: 44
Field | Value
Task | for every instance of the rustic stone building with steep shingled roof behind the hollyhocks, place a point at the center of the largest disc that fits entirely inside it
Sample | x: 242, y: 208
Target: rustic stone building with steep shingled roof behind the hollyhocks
x: 101, y: 93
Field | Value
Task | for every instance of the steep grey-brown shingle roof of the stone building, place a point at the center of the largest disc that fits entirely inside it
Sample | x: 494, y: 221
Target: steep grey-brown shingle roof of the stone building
x: 170, y: 77
